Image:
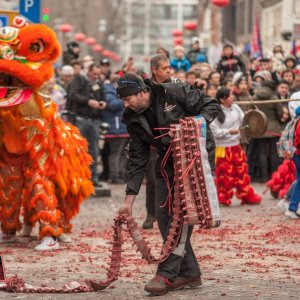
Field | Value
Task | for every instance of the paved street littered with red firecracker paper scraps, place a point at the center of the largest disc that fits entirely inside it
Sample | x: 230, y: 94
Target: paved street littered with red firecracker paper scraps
x: 255, y: 254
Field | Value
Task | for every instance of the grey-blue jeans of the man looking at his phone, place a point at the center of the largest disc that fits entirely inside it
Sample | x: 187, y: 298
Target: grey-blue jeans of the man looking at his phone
x: 90, y: 130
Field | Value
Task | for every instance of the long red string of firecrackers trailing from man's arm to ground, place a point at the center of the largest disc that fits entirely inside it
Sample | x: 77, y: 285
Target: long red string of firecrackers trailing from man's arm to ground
x: 180, y: 217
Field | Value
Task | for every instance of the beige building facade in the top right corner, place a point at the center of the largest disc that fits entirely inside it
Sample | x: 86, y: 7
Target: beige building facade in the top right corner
x: 279, y: 21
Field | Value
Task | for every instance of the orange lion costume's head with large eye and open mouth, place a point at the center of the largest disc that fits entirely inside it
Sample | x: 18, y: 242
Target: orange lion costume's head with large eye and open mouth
x: 26, y: 56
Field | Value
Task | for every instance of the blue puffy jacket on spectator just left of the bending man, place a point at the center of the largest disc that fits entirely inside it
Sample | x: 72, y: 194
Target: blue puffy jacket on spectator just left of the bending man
x: 114, y: 111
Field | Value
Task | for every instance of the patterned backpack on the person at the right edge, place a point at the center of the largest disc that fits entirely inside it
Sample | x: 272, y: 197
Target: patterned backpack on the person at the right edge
x: 285, y: 146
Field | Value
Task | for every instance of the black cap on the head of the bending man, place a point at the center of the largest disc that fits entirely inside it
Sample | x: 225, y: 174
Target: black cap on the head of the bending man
x: 129, y: 85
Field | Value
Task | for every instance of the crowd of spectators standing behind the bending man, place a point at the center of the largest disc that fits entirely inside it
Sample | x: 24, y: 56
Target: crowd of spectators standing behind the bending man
x: 85, y: 88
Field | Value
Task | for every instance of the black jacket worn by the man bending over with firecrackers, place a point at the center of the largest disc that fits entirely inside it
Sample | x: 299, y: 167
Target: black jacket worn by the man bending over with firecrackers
x: 169, y: 102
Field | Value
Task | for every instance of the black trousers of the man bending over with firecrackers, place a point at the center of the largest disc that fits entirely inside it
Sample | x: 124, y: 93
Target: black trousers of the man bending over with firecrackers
x: 182, y: 262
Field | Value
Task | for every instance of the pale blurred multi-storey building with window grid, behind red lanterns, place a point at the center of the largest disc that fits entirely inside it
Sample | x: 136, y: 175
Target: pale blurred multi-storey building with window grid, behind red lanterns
x: 149, y: 24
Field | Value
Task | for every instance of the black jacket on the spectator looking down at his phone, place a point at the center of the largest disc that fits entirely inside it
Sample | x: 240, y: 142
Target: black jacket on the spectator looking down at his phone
x: 80, y: 90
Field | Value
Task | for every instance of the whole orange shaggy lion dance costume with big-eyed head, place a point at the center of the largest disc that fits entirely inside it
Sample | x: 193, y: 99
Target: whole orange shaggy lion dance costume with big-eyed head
x: 44, y: 165
